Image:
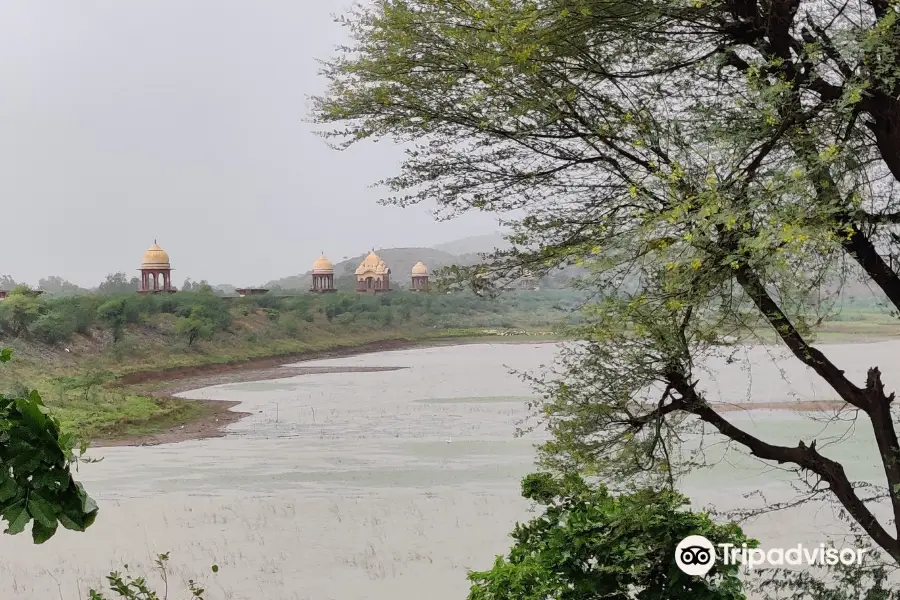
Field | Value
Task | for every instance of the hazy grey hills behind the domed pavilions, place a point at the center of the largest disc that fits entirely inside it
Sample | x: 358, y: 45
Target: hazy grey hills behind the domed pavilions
x: 400, y: 261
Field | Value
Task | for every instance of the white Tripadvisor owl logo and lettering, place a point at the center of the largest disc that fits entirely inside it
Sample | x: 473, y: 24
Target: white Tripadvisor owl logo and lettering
x: 696, y: 555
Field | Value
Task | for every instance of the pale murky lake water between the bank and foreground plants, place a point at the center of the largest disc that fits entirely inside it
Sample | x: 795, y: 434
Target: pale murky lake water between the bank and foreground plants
x: 391, y: 484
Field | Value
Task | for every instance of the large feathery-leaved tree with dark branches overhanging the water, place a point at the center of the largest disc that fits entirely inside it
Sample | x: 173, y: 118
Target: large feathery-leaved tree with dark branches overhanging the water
x: 728, y: 159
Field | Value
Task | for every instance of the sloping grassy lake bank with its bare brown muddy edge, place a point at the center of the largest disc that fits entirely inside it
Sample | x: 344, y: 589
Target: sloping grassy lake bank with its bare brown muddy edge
x: 114, y: 378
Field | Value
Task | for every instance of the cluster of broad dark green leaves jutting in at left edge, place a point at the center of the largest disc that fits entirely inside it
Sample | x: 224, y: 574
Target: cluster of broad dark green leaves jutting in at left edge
x: 36, y: 482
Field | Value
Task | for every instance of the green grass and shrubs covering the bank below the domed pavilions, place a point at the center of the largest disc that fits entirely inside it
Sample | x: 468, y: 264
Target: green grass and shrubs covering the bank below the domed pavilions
x: 75, y: 348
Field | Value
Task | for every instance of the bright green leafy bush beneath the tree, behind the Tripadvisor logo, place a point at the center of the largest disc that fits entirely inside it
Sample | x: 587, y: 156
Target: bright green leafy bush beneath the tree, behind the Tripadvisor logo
x: 590, y: 544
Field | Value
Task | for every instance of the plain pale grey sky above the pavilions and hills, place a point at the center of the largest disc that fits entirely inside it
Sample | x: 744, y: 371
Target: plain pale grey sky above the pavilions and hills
x: 122, y: 121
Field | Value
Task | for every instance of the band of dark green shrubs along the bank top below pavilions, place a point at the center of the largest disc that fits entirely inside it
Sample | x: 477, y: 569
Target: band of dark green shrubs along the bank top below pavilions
x: 200, y: 314
